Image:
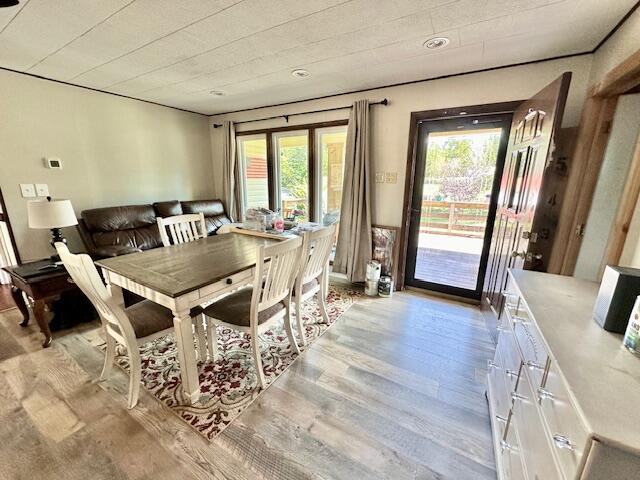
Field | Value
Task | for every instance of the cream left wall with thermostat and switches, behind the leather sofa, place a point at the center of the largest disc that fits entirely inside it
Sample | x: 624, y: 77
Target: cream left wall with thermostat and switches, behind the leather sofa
x: 114, y: 151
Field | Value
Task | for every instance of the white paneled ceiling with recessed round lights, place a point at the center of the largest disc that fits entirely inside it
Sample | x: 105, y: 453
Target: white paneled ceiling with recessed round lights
x: 176, y: 52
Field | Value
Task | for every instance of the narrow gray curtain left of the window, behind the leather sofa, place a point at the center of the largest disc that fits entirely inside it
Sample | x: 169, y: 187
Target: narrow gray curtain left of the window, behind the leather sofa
x: 232, y: 181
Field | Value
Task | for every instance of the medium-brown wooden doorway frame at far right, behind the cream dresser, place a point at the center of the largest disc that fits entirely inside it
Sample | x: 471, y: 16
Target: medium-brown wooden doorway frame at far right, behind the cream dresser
x: 591, y: 144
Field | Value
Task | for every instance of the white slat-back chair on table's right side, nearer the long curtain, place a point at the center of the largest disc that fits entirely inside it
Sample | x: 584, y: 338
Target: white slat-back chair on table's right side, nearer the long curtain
x: 314, y: 270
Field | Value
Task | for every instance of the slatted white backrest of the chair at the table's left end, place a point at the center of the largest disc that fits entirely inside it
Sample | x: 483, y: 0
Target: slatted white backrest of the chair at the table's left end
x: 85, y: 275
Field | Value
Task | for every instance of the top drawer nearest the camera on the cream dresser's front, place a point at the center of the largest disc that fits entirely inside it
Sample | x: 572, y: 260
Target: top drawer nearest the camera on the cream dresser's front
x: 566, y: 433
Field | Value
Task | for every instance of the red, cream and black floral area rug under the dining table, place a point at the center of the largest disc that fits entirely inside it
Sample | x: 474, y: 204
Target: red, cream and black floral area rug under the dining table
x: 230, y: 384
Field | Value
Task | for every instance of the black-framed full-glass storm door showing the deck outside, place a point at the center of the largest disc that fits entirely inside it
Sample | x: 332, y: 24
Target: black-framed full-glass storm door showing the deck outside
x: 458, y: 168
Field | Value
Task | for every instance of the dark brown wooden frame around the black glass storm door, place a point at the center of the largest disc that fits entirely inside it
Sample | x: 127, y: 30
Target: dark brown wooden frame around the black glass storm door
x: 412, y: 152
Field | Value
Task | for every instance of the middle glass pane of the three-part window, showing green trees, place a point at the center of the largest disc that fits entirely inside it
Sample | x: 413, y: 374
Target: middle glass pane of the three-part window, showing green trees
x: 292, y: 171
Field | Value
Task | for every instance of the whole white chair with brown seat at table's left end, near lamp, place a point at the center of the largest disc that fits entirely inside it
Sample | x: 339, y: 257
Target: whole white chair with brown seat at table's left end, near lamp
x: 131, y: 327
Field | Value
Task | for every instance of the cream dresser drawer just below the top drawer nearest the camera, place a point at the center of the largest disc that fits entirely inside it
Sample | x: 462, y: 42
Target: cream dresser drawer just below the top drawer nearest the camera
x: 539, y: 462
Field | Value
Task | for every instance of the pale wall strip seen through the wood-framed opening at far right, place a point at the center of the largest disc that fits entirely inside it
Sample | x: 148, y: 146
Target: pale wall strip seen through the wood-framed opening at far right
x: 613, y: 175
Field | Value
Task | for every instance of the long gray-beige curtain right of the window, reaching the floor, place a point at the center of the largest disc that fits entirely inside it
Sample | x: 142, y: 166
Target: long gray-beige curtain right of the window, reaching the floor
x: 353, y: 250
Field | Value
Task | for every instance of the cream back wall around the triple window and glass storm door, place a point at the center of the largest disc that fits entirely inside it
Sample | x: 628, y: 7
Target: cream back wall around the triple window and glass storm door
x: 390, y: 125
